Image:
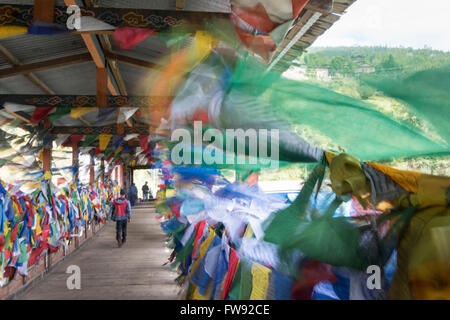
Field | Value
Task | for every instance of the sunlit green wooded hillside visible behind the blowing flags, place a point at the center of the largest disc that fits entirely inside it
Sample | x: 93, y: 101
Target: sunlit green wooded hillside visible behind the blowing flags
x: 342, y: 69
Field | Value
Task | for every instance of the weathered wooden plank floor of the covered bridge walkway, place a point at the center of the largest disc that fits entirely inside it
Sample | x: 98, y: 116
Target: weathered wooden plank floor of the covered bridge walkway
x: 133, y: 271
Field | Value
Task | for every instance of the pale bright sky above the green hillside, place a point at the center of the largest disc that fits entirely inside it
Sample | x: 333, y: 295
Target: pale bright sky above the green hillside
x: 392, y: 23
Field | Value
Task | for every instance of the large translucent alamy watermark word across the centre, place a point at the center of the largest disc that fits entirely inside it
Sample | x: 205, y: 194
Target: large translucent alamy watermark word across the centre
x: 231, y: 146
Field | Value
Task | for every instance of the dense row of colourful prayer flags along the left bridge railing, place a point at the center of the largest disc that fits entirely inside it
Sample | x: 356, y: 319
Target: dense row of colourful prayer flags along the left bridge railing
x: 46, y: 219
